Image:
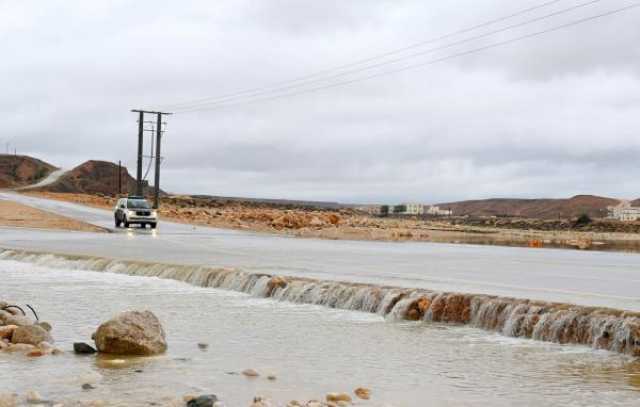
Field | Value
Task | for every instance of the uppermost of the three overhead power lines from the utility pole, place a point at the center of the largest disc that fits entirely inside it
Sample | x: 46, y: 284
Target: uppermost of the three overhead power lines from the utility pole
x: 365, y: 60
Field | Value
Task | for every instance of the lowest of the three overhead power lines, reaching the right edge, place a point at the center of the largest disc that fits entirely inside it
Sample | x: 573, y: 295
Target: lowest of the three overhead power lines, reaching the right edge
x: 431, y: 62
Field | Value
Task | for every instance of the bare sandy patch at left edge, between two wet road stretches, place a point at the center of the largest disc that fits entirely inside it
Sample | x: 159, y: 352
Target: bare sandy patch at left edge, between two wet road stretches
x: 16, y: 215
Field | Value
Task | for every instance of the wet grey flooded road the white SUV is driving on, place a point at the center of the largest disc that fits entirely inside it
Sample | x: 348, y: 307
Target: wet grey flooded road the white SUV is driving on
x: 602, y: 279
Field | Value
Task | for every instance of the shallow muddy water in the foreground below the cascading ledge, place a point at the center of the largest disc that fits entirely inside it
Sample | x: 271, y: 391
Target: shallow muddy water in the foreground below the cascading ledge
x: 312, y: 350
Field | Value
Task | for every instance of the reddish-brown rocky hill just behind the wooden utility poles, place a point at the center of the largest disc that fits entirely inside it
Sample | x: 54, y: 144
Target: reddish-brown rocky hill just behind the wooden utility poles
x: 93, y: 177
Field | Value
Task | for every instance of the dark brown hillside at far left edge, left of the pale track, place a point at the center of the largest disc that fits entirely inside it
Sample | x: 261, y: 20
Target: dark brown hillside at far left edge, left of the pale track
x: 19, y: 170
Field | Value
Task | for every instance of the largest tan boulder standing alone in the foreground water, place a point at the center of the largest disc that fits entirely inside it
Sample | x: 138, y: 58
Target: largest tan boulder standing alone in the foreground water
x: 131, y: 333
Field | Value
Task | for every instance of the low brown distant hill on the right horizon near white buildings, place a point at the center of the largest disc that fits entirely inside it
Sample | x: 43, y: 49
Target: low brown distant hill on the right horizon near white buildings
x: 594, y: 206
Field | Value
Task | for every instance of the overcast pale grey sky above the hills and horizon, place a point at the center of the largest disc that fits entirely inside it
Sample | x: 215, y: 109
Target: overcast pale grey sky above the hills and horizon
x: 550, y: 116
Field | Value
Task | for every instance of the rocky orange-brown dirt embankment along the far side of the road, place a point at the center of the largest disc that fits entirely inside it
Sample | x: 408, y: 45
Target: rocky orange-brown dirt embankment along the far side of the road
x: 354, y: 225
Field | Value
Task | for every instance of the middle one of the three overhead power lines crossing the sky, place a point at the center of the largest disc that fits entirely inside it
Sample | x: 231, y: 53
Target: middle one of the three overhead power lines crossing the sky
x: 400, y: 59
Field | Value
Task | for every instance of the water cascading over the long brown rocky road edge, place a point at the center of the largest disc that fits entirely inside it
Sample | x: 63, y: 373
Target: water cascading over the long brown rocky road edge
x: 600, y: 328
